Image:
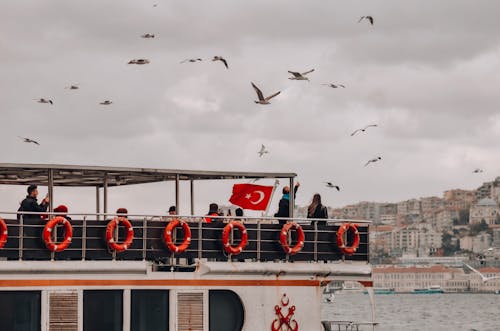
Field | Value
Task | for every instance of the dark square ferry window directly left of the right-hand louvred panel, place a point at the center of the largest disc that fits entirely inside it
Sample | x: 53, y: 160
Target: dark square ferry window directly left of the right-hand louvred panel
x: 149, y: 310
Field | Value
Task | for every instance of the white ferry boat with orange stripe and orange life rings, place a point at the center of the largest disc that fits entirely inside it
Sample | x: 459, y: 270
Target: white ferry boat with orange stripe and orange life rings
x: 102, y: 271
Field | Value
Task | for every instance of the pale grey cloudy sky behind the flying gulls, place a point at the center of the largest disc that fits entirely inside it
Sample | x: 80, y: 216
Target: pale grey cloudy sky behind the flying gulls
x: 427, y: 73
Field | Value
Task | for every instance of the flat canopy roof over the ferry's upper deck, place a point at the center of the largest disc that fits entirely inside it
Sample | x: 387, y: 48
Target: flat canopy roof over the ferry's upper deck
x: 97, y: 176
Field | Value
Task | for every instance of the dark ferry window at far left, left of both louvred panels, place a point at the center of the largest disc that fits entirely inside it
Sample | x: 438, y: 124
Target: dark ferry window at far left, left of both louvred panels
x: 20, y: 310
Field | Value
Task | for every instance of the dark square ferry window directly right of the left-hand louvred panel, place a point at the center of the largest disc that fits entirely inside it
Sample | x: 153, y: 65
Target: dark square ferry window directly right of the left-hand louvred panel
x: 102, y: 310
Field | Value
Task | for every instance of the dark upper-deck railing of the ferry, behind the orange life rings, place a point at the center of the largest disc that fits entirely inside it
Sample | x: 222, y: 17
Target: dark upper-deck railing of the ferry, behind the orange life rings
x: 24, y: 240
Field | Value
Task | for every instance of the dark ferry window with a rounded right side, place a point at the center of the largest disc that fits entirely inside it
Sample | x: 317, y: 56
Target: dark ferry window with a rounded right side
x: 226, y: 311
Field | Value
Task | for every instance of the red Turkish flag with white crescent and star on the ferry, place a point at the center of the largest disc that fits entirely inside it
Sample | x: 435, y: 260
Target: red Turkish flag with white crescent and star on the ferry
x: 250, y: 196
